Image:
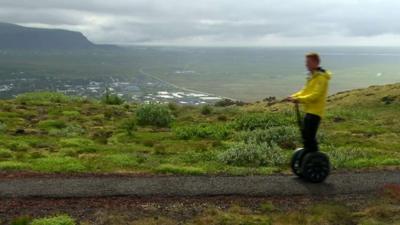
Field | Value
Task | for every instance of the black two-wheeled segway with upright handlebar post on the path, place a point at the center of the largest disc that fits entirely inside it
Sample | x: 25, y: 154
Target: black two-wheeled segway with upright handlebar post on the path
x: 311, y: 166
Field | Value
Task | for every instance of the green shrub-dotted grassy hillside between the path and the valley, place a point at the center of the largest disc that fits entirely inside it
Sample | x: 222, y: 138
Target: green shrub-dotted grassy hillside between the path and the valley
x: 50, y: 132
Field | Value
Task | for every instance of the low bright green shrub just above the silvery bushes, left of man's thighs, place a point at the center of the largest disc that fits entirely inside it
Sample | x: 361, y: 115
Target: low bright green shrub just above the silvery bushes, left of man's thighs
x: 260, y: 121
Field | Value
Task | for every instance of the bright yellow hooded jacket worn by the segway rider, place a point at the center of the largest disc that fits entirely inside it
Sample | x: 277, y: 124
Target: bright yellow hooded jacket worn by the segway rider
x: 314, y: 93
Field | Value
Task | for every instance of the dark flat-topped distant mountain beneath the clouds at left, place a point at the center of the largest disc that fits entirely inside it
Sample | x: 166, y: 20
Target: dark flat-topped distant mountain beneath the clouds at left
x: 18, y: 37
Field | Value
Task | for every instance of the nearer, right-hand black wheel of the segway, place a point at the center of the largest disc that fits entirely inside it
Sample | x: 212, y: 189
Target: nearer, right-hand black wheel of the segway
x: 315, y: 167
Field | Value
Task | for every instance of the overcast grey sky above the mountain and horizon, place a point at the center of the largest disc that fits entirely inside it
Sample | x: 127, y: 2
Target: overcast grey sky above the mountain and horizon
x: 216, y: 22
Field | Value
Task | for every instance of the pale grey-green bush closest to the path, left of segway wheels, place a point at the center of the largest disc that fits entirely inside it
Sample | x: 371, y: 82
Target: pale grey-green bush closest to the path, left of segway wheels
x: 253, y: 154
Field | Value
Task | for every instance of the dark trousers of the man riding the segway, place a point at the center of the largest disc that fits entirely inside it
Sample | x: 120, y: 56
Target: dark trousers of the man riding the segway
x: 309, y: 132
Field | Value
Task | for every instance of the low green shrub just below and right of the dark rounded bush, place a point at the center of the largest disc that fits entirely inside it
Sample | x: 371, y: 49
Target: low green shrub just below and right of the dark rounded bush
x: 219, y: 132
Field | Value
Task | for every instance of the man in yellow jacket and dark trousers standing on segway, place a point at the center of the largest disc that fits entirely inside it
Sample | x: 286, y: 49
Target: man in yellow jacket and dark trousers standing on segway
x: 313, y: 98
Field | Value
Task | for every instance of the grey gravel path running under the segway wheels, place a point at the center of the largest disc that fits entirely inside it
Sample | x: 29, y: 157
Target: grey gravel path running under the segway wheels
x: 336, y: 184
